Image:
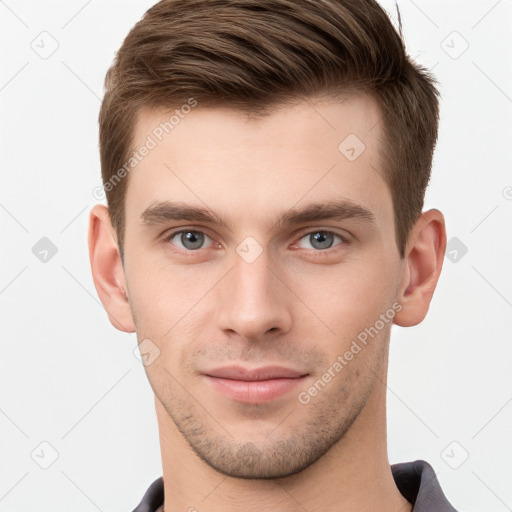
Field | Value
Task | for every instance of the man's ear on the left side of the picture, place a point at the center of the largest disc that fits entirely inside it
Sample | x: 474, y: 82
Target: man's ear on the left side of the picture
x: 107, y: 269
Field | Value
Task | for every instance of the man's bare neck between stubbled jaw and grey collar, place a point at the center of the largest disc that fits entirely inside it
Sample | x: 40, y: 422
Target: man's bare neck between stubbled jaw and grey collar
x: 353, y: 475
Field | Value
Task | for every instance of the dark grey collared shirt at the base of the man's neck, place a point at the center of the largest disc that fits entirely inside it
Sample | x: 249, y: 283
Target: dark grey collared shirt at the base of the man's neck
x: 416, y: 481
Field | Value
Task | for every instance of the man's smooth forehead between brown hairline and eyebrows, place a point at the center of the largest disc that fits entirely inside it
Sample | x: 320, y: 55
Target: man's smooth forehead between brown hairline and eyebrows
x: 225, y: 160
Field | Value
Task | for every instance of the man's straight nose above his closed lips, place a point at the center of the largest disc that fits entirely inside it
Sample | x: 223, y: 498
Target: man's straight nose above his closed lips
x: 253, y: 302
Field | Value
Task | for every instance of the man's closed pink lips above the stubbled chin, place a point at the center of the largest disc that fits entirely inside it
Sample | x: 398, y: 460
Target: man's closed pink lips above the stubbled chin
x: 257, y: 385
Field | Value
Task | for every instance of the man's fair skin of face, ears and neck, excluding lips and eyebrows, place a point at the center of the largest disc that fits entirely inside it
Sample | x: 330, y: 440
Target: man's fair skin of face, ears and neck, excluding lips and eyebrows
x: 295, y: 305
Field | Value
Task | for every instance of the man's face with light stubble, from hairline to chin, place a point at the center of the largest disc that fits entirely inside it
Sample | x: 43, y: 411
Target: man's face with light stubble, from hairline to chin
x: 257, y: 252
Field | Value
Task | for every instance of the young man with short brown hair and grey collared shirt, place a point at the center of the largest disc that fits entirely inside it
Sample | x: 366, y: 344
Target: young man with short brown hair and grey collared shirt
x: 265, y: 164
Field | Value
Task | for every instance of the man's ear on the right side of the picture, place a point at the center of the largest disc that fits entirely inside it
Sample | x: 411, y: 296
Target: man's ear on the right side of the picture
x: 421, y: 268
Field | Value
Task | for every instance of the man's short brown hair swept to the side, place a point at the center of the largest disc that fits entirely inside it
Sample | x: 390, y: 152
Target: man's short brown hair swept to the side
x: 250, y: 55
